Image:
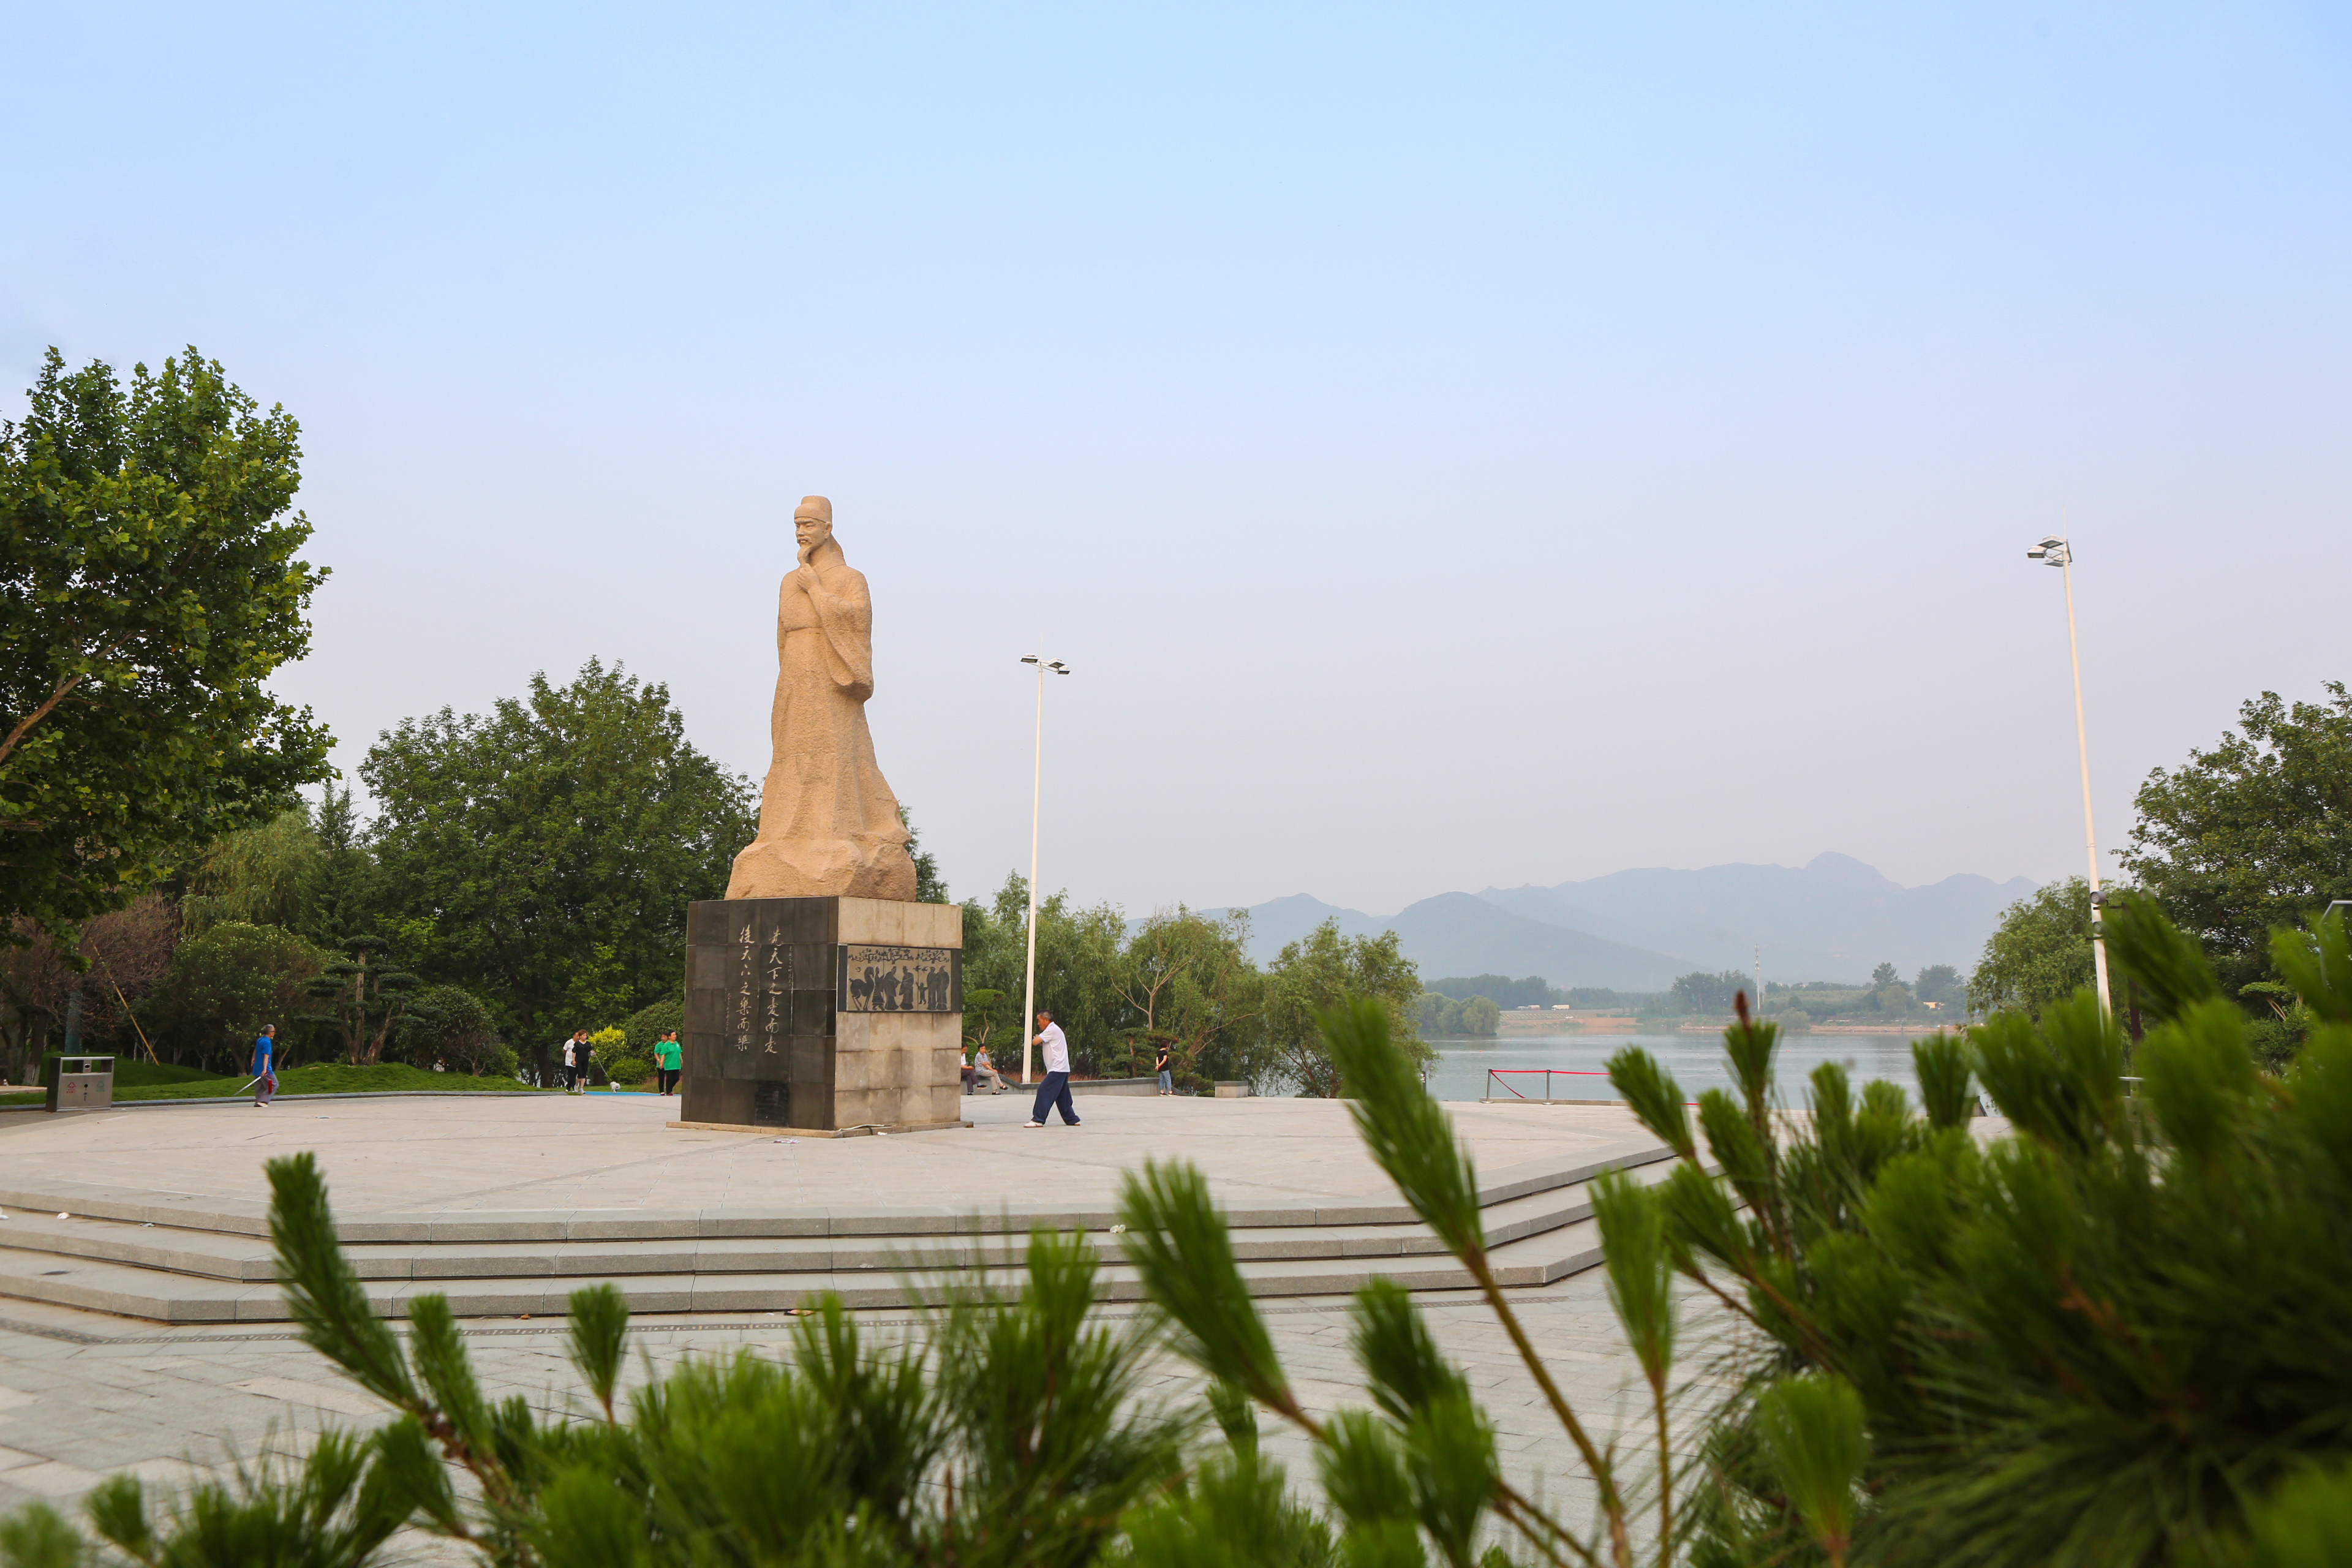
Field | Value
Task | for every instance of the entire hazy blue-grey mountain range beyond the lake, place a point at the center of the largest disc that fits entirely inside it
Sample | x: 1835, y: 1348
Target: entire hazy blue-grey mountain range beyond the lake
x: 1826, y: 920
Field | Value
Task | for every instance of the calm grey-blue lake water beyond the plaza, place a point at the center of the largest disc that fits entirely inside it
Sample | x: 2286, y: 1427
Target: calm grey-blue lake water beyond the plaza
x: 1697, y: 1064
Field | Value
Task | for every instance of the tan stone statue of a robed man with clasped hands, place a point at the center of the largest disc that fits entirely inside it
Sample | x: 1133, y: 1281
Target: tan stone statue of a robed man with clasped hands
x: 829, y: 824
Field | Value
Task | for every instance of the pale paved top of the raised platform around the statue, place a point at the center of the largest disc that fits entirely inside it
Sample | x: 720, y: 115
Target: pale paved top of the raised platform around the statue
x: 615, y: 1158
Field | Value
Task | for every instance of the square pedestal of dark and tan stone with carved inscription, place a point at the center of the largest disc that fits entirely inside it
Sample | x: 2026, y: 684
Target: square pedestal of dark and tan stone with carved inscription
x: 824, y: 1014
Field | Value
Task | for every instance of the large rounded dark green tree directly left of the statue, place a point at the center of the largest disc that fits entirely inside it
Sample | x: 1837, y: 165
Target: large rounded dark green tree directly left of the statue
x: 544, y: 855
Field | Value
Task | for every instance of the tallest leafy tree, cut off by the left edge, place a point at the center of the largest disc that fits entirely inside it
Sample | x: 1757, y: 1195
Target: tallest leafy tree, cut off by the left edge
x: 147, y: 591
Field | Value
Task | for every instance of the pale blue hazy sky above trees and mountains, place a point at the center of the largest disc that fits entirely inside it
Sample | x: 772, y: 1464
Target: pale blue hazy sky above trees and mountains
x: 1452, y: 443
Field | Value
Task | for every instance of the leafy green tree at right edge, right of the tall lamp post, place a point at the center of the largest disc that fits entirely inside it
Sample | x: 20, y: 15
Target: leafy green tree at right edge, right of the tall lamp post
x: 2254, y: 833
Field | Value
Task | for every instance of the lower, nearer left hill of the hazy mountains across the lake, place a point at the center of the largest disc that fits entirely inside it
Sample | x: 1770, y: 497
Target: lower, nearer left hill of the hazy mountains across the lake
x: 1459, y: 934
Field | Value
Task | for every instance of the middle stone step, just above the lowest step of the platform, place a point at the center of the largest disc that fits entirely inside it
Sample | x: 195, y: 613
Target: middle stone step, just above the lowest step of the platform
x: 248, y: 1259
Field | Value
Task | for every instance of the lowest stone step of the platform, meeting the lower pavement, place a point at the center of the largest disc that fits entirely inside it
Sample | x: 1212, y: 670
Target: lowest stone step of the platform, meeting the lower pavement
x: 189, y: 1299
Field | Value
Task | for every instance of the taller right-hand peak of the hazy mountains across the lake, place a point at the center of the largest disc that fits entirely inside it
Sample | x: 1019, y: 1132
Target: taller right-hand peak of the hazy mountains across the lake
x: 1829, y: 920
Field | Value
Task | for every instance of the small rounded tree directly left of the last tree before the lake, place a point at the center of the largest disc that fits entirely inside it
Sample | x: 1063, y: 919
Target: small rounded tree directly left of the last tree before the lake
x: 1191, y: 981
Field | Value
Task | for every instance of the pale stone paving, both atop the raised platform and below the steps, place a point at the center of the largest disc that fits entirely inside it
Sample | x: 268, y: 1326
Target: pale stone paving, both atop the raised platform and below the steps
x: 88, y: 1395
